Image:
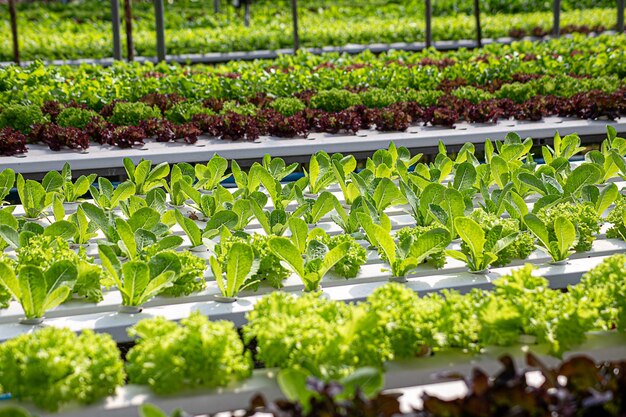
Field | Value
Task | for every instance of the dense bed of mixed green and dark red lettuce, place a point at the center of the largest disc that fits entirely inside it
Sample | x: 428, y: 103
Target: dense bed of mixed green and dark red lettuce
x: 123, y: 106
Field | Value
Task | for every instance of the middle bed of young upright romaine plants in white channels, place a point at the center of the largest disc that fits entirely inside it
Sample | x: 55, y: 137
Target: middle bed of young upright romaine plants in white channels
x: 269, y: 231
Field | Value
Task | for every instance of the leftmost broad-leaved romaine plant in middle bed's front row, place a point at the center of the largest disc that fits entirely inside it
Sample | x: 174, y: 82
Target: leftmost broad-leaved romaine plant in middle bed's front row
x: 39, y: 290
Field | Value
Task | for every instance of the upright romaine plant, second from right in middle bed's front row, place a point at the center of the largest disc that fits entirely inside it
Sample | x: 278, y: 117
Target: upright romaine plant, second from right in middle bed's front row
x: 479, y: 249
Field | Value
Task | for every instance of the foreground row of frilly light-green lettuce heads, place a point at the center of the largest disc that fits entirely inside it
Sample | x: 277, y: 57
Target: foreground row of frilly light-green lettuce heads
x: 311, y: 335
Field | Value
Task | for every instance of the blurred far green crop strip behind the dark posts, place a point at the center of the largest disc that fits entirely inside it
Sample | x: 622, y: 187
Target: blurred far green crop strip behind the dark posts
x: 83, y: 30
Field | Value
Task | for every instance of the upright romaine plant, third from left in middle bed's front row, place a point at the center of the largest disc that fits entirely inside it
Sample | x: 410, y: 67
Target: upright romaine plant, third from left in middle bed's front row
x: 240, y: 266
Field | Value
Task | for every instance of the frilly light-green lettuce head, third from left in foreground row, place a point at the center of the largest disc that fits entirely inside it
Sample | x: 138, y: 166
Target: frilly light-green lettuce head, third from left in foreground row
x: 308, y: 333
